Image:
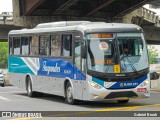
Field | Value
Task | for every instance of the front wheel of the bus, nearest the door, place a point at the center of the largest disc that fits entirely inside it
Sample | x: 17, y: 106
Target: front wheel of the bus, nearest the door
x: 69, y: 94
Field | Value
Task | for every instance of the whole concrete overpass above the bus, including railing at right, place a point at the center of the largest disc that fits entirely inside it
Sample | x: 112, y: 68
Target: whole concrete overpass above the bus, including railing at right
x: 29, y: 13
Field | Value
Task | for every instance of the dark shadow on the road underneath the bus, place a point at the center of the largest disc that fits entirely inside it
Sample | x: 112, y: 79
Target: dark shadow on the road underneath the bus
x: 88, y: 104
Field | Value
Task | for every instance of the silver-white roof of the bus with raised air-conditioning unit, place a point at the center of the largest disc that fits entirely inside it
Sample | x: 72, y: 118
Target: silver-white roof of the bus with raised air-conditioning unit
x: 83, y: 26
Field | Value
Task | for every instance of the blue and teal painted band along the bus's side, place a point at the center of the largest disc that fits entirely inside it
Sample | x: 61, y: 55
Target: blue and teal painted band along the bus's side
x: 47, y: 67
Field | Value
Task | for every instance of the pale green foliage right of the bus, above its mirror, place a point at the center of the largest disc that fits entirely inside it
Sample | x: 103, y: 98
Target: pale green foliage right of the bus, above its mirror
x: 153, y: 55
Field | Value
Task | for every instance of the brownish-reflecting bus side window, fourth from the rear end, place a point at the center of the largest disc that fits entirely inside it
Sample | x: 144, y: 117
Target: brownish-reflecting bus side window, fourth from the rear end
x: 34, y: 45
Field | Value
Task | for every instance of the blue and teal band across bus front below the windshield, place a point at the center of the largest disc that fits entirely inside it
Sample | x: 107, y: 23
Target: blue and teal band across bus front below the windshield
x: 122, y: 85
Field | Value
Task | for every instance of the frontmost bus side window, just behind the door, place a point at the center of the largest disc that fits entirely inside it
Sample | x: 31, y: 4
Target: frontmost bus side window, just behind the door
x: 67, y: 45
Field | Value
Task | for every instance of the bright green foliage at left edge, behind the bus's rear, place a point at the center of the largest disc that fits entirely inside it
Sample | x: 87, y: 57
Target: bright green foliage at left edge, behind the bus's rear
x: 3, y: 54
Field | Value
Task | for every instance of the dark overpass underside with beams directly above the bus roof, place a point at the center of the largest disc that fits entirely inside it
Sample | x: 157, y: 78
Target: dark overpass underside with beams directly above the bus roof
x: 29, y: 13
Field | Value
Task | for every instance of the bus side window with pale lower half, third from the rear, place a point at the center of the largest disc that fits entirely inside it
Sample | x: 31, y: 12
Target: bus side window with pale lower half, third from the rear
x: 25, y: 45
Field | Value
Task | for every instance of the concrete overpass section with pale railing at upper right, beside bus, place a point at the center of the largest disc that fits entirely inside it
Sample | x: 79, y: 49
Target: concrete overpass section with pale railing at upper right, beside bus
x: 148, y: 20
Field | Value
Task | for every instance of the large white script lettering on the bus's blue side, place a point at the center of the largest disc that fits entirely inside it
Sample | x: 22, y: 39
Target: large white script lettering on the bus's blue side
x: 49, y: 69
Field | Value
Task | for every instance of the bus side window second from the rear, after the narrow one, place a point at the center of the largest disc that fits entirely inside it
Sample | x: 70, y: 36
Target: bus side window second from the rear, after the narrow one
x: 16, y: 45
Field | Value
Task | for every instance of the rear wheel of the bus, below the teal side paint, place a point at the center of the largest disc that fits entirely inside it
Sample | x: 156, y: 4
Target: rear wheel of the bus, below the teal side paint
x: 29, y: 88
